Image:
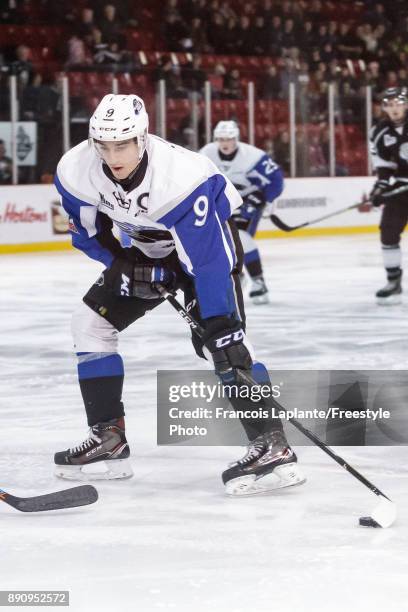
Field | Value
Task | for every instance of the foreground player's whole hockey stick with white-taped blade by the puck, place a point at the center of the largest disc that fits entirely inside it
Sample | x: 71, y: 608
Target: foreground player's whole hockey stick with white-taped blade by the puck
x: 385, y: 513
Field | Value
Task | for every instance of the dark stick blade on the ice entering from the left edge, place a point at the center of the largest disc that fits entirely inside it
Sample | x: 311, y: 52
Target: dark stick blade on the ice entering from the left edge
x: 68, y: 498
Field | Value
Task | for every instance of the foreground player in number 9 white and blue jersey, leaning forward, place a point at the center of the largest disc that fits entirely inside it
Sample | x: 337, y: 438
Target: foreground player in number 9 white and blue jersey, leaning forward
x: 176, y: 208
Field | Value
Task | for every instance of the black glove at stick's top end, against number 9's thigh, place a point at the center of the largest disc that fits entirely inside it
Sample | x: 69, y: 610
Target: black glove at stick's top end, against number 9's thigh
x: 128, y: 279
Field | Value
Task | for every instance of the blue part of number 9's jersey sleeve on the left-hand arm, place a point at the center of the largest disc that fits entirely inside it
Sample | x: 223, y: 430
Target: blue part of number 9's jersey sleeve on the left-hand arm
x: 80, y: 238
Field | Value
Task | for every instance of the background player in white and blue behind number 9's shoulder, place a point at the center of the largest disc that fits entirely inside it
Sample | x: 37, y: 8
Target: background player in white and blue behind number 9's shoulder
x: 259, y: 180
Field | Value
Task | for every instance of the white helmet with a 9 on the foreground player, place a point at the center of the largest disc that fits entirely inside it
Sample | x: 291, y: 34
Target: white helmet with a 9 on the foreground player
x: 120, y: 117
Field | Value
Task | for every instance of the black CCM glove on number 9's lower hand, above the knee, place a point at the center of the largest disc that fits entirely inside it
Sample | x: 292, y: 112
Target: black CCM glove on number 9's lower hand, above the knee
x: 224, y: 339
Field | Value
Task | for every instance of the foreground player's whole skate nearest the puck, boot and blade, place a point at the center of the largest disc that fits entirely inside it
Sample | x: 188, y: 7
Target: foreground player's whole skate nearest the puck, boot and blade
x: 269, y: 464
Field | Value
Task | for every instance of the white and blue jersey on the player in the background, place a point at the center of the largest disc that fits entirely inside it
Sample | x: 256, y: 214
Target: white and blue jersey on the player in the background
x: 250, y: 170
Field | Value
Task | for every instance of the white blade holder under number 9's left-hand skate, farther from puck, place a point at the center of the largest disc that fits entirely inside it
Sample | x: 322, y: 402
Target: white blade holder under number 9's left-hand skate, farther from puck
x: 101, y: 470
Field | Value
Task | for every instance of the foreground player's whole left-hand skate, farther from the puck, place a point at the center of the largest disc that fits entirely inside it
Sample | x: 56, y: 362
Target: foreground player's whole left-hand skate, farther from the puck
x: 106, y: 447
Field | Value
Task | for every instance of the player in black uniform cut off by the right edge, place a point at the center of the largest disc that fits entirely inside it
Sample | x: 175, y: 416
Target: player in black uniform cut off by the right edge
x: 389, y: 151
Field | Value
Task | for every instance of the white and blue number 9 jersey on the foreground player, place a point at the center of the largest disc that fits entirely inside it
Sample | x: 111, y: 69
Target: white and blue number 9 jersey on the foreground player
x: 183, y: 202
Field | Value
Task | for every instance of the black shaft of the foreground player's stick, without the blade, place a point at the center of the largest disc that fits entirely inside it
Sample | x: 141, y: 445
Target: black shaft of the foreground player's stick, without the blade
x: 322, y: 445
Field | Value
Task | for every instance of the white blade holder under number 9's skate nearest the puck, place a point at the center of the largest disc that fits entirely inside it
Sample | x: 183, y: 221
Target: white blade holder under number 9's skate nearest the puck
x: 288, y: 475
